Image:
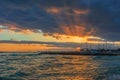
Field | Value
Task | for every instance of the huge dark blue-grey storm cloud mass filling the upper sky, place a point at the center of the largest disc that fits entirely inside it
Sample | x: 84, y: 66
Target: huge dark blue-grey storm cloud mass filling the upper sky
x: 103, y: 15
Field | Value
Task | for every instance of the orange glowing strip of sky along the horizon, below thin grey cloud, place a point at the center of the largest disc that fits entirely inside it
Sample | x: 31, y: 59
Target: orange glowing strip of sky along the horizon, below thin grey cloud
x: 12, y: 47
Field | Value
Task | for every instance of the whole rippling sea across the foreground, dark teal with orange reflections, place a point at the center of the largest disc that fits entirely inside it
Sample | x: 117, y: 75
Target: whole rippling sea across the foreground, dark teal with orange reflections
x: 31, y: 66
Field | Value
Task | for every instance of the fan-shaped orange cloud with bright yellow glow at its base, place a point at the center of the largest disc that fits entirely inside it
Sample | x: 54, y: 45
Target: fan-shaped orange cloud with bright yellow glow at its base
x: 72, y: 33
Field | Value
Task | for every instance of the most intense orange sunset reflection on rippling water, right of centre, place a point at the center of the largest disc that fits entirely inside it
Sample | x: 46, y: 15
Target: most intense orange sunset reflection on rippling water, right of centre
x: 77, y: 68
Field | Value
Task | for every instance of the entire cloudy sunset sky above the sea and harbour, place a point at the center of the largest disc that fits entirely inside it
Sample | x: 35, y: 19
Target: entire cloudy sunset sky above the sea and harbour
x: 64, y: 24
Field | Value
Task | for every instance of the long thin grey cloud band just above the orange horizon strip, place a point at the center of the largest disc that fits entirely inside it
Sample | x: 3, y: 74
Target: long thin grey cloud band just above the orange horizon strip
x: 50, y: 44
